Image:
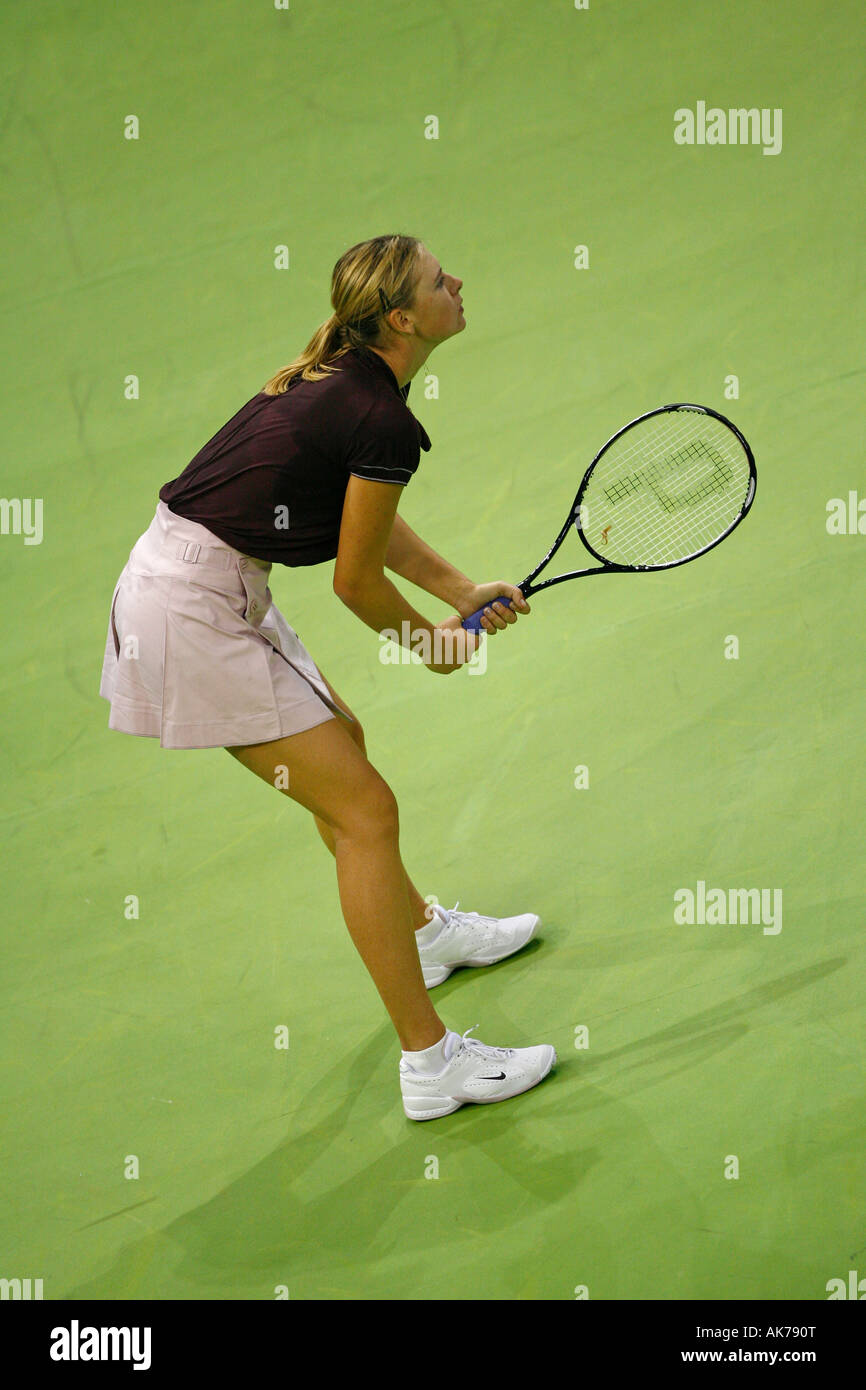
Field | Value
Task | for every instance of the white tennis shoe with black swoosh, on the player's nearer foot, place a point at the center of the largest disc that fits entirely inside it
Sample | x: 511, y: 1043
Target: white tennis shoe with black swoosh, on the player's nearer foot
x: 475, y: 1075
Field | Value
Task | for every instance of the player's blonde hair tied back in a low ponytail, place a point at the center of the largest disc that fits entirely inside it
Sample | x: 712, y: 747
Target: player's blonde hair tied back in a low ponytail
x: 368, y: 283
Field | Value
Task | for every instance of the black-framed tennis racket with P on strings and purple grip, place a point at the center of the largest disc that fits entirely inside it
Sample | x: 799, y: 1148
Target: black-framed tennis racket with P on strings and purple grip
x: 664, y: 490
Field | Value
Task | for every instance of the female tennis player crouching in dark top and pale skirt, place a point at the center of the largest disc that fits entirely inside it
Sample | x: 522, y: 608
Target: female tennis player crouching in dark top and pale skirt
x: 311, y: 471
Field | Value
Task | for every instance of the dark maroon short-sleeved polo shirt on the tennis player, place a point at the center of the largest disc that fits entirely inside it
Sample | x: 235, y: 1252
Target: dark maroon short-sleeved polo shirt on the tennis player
x: 272, y: 483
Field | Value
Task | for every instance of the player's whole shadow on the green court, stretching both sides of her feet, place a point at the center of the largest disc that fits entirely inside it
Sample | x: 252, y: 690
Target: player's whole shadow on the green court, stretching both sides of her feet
x: 277, y: 1220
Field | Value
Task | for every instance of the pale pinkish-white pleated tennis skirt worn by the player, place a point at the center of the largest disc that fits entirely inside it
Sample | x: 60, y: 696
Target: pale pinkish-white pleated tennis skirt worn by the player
x: 197, y: 654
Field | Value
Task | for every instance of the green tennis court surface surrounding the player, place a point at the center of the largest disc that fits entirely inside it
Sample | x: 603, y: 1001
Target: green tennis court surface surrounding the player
x: 703, y: 1135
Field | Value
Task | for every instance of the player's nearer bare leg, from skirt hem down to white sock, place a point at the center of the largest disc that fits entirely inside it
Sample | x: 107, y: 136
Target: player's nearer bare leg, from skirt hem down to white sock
x: 332, y: 778
